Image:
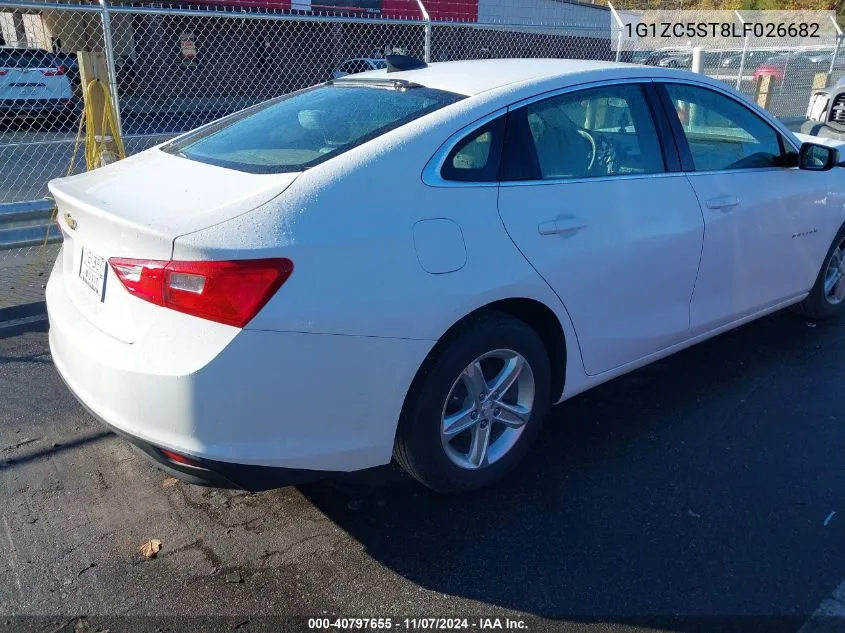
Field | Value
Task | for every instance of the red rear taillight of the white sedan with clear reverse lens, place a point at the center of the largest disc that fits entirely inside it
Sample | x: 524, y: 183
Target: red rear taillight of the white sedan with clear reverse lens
x: 230, y: 292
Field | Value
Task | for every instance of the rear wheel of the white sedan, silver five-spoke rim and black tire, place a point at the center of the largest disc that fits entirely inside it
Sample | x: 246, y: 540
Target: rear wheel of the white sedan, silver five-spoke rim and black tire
x: 477, y: 407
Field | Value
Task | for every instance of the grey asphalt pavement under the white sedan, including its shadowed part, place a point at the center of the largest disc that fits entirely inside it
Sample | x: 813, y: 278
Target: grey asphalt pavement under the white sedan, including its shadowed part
x: 704, y: 492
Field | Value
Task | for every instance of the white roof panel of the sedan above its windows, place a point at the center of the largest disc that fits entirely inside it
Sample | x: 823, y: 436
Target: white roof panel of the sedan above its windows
x: 473, y: 77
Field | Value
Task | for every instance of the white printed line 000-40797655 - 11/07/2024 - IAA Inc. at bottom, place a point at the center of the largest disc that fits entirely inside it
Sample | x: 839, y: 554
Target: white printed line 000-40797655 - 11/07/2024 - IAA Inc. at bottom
x: 418, y: 624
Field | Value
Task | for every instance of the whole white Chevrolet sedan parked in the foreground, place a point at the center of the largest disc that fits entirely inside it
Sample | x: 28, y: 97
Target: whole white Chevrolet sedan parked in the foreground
x: 417, y: 262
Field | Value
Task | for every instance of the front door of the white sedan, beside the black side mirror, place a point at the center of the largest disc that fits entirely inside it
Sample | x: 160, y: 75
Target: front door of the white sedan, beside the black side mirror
x: 763, y: 244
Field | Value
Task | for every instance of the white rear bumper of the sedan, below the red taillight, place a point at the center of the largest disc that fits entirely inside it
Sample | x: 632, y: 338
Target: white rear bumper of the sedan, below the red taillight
x: 238, y: 402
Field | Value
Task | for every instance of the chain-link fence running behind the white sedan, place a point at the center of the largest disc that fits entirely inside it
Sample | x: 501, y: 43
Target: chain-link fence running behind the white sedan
x: 176, y: 68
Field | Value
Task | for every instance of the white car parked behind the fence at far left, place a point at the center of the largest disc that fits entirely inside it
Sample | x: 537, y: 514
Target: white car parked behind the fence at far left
x: 34, y: 86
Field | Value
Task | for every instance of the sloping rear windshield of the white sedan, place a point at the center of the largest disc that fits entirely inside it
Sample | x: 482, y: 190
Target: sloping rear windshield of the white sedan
x: 305, y: 128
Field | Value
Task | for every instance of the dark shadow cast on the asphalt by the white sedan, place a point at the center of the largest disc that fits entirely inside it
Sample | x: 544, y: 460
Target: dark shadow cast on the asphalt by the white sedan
x: 688, y: 488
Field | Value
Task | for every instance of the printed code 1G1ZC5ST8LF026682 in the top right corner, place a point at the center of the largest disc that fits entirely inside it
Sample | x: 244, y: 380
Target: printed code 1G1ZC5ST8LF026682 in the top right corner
x: 723, y: 29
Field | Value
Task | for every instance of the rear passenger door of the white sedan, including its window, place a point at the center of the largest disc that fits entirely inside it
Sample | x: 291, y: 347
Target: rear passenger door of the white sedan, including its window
x: 593, y: 196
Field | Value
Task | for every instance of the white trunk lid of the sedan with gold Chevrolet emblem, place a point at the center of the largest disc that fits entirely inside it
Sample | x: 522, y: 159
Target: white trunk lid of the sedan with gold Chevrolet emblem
x: 136, y: 208
